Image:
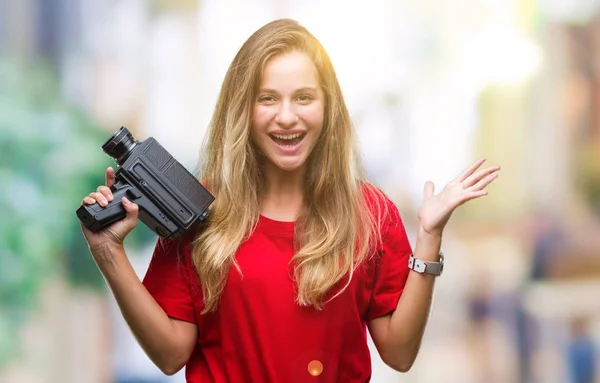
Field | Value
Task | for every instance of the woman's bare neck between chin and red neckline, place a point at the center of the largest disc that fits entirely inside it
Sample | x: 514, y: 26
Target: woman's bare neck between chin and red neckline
x: 283, y: 193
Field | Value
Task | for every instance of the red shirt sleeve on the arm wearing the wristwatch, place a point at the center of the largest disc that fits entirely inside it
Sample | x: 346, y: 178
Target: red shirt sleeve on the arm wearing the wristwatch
x: 391, y: 265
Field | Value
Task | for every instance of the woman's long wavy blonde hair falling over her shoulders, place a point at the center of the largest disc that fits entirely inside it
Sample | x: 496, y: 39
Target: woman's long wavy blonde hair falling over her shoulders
x: 337, y: 228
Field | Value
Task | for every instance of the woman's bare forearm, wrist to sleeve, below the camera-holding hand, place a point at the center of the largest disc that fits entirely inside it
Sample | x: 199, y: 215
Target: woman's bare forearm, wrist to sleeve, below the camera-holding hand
x: 168, y: 342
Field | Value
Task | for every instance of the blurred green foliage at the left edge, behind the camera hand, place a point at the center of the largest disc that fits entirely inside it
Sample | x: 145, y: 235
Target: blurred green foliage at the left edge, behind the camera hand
x: 50, y: 158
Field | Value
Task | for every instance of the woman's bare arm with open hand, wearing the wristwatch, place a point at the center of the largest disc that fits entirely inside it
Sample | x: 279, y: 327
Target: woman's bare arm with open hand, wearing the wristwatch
x: 398, y: 335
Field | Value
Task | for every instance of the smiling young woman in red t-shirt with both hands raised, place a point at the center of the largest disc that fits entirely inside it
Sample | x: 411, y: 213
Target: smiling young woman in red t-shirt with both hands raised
x: 300, y: 254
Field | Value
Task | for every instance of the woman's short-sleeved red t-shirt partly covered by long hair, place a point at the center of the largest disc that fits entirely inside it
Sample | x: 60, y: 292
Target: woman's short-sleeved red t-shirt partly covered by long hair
x: 259, y: 333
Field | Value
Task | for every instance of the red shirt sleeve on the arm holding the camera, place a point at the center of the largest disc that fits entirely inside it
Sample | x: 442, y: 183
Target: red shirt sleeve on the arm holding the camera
x: 168, y: 278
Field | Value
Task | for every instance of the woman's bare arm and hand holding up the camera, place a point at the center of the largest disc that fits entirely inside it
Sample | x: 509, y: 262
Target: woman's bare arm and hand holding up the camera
x: 167, y: 342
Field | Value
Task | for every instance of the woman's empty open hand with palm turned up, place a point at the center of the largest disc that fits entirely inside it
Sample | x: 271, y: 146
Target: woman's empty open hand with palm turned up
x: 436, y: 209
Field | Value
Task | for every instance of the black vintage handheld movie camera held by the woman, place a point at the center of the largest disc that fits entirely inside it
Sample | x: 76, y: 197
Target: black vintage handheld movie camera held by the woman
x: 170, y: 198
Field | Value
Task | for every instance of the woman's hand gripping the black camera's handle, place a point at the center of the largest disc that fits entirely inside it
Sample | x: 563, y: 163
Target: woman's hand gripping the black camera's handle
x: 115, y: 233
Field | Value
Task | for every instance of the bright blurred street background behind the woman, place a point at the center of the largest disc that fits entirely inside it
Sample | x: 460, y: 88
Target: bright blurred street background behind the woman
x: 431, y: 86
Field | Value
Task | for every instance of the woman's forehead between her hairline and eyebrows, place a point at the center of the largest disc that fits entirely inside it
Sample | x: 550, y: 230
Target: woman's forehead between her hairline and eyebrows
x: 289, y: 70
